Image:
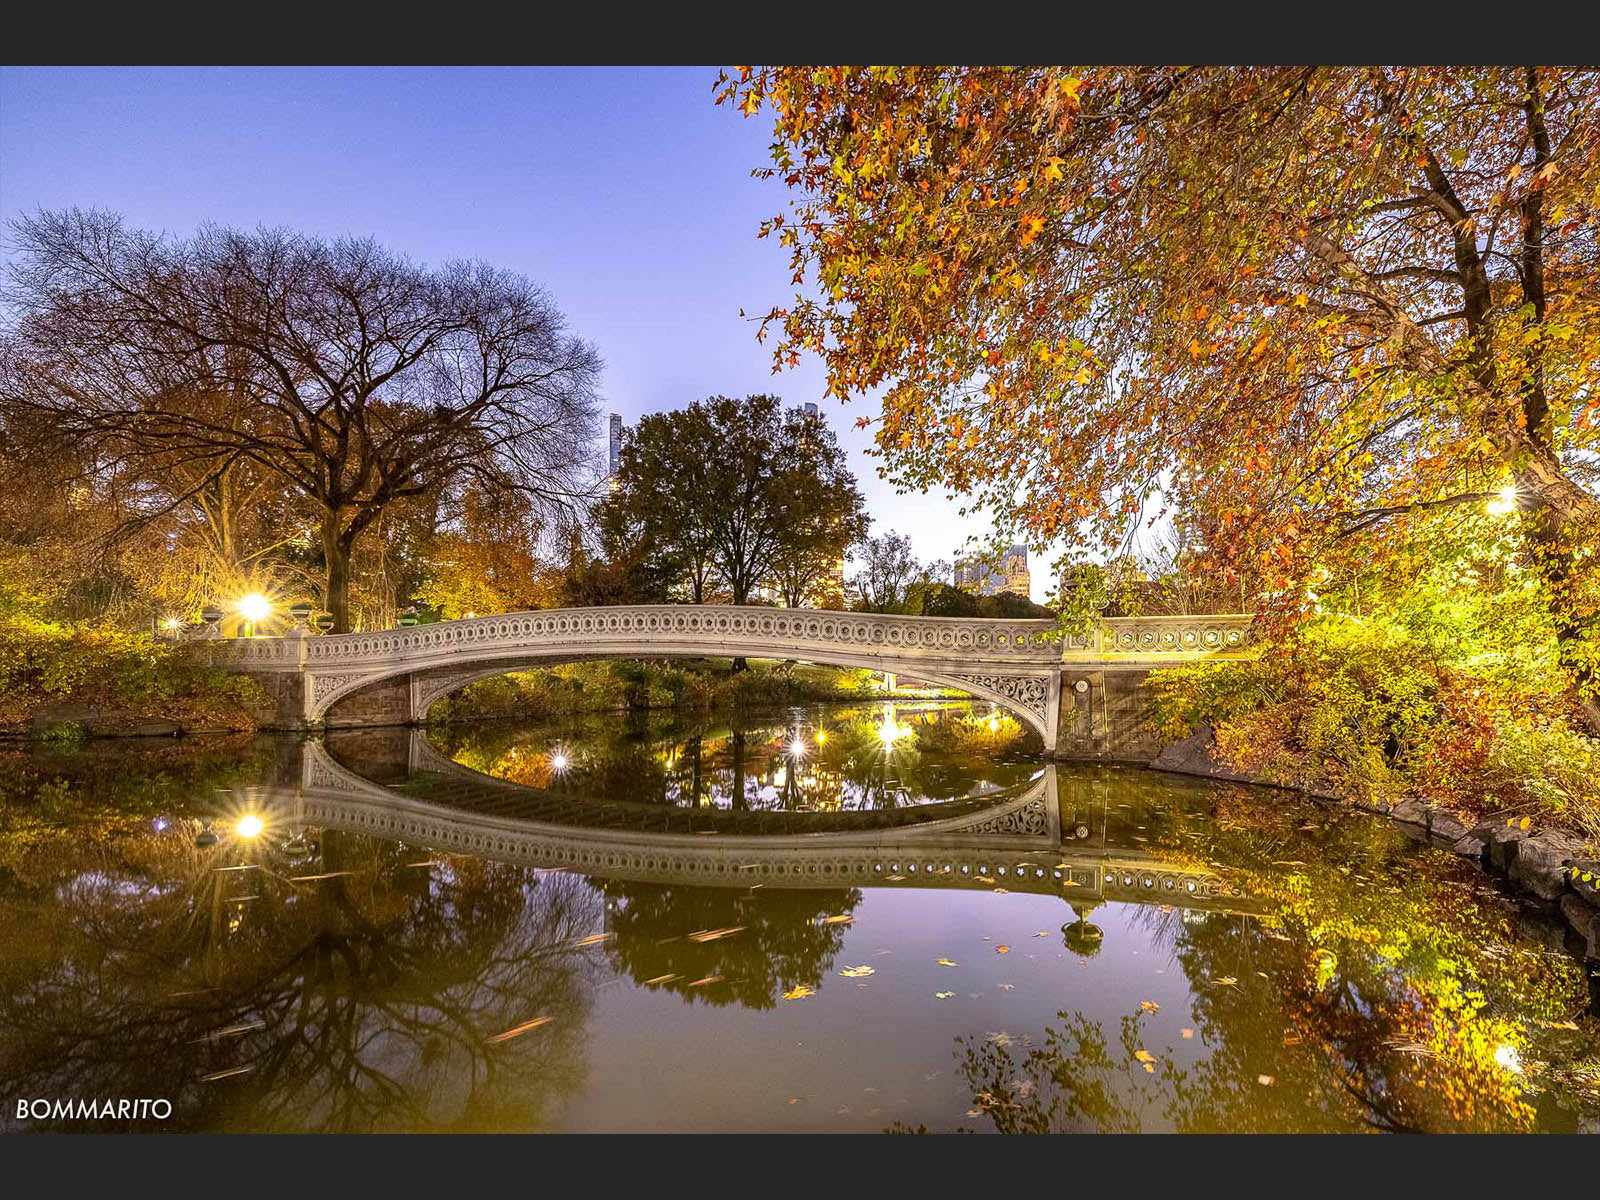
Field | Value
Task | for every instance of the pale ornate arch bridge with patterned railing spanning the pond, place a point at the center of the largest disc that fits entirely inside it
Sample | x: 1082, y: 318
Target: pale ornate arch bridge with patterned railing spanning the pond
x: 1073, y: 689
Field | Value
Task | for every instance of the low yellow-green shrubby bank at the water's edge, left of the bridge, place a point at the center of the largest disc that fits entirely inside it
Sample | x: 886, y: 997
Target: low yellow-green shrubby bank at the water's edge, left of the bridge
x: 63, y: 682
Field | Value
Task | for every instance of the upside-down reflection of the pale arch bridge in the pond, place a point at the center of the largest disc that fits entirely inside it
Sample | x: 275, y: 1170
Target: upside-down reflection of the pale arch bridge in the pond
x: 1055, y: 834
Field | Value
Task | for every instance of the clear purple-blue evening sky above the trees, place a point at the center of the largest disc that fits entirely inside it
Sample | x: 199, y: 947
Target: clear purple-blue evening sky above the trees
x: 625, y: 191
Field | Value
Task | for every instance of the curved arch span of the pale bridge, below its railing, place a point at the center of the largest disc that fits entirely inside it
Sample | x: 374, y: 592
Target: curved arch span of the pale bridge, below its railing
x: 410, y: 690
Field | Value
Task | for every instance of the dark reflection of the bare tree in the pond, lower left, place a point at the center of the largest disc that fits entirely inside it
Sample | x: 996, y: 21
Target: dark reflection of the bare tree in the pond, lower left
x: 306, y: 980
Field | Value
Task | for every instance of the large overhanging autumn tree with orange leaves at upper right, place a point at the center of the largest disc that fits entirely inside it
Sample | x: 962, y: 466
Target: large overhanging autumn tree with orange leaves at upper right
x: 1310, y: 310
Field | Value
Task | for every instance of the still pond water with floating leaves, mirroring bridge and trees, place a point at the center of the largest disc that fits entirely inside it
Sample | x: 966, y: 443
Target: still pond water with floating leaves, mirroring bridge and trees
x: 847, y: 919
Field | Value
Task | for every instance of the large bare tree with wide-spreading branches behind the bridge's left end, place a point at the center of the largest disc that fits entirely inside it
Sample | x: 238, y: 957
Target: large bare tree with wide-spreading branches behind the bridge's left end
x: 356, y: 375
